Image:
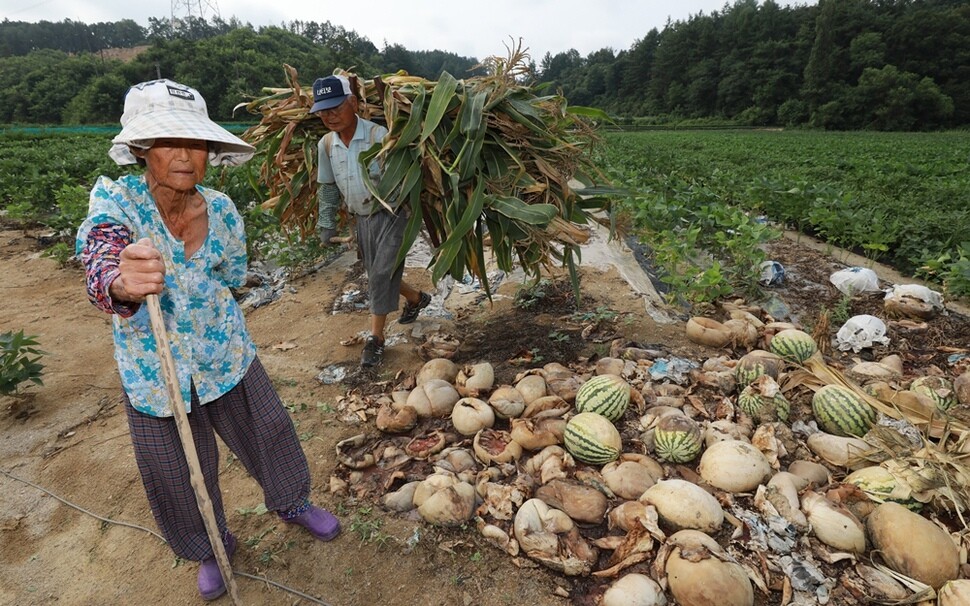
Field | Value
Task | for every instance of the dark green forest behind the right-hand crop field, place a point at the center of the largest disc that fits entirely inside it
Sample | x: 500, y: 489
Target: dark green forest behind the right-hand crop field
x: 840, y: 64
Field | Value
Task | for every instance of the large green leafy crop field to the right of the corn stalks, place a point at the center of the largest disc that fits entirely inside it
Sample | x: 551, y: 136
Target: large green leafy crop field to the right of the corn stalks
x: 898, y: 198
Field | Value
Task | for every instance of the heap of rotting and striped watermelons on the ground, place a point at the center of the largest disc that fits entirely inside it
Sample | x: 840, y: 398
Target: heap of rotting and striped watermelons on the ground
x: 772, y: 476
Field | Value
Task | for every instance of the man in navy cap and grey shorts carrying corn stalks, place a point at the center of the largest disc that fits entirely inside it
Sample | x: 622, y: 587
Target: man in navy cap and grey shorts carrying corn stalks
x: 379, y: 230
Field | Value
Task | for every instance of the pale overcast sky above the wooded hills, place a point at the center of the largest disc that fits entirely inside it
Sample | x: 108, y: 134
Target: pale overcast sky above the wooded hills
x: 472, y: 29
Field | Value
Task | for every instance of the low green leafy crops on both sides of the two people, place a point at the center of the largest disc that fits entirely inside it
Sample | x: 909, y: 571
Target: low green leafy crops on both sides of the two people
x: 900, y: 198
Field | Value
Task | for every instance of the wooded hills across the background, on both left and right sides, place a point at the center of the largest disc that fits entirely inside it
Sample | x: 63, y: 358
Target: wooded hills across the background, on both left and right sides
x: 840, y: 64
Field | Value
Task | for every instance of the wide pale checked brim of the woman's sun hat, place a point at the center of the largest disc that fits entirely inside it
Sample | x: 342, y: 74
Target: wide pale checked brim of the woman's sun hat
x: 229, y: 149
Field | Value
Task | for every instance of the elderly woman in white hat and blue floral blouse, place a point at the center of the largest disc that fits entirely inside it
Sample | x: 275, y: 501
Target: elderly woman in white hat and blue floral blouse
x: 161, y: 232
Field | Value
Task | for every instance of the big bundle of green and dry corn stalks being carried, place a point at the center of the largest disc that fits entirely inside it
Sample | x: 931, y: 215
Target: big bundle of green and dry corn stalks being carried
x: 478, y: 159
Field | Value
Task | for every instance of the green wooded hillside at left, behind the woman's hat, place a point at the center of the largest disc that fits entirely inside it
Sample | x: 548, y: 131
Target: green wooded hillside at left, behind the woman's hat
x: 49, y: 77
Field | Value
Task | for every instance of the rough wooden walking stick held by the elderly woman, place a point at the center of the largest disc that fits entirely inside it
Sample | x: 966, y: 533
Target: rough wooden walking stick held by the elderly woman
x: 188, y: 445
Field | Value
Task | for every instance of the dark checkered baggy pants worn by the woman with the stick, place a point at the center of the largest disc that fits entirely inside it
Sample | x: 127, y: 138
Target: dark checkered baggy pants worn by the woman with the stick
x: 253, y: 423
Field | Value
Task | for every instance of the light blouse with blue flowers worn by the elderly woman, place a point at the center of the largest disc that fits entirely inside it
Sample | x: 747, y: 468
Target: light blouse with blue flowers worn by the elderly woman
x: 209, y: 341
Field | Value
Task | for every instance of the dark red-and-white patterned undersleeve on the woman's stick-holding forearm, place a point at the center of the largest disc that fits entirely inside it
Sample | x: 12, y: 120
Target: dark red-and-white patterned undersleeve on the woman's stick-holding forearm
x: 101, y: 256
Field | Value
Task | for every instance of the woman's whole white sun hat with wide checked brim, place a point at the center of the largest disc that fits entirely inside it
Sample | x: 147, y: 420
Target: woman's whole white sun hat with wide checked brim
x: 166, y: 109
